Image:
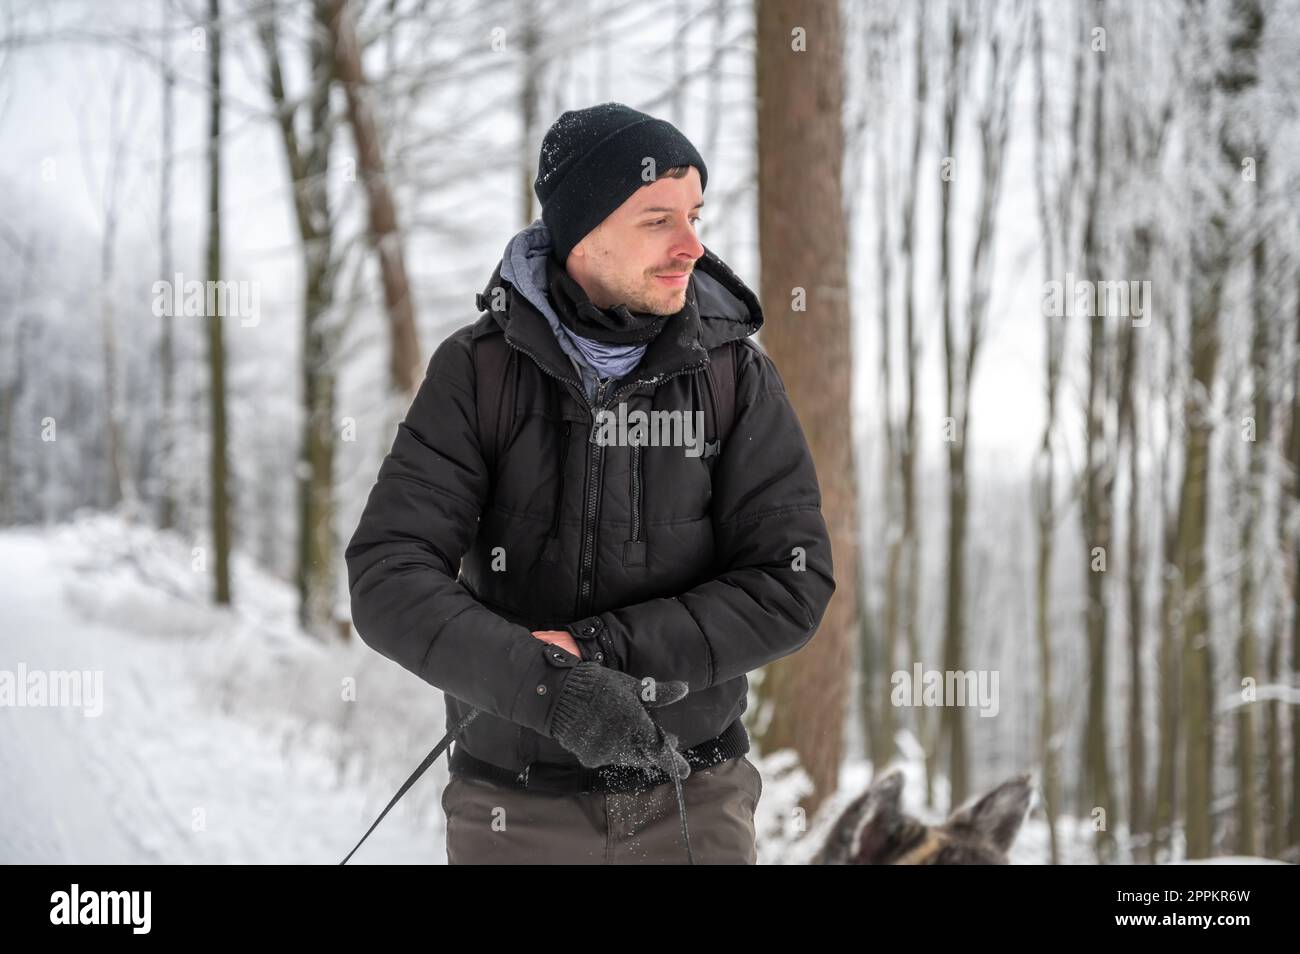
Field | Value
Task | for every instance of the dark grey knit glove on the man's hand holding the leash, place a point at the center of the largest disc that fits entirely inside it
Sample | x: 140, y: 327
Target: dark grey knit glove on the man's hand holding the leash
x: 601, y: 717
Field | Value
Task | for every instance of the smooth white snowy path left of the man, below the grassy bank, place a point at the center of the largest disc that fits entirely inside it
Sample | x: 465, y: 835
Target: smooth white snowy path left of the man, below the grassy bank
x: 163, y: 775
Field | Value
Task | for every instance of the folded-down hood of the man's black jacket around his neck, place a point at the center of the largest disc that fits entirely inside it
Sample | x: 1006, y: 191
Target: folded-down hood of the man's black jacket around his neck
x: 727, y: 310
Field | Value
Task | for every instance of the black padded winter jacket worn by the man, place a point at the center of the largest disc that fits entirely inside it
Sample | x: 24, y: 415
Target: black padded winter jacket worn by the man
x: 697, y: 569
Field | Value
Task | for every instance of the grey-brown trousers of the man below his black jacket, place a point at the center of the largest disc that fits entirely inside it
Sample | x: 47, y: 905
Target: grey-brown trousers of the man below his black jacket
x: 489, y: 825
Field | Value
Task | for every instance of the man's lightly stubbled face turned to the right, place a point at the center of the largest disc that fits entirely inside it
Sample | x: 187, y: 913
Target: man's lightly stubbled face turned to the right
x: 643, y: 254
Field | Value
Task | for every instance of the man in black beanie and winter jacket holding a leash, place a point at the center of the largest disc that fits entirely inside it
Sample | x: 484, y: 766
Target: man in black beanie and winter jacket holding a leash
x: 612, y: 595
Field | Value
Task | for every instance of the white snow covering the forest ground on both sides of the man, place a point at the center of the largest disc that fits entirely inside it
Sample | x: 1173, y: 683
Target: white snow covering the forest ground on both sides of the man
x: 232, y: 738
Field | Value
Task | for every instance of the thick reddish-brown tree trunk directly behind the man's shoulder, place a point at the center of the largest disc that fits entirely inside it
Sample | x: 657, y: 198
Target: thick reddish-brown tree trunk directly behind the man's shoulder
x: 803, y: 245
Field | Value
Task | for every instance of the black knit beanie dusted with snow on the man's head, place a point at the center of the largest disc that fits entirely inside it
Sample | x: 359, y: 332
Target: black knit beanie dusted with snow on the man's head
x: 593, y: 159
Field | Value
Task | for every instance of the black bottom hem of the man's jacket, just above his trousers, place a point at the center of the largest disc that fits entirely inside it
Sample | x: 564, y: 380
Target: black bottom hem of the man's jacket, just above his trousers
x: 579, y: 780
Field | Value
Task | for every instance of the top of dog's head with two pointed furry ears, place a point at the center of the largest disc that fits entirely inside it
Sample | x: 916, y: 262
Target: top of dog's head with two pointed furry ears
x: 876, y: 831
